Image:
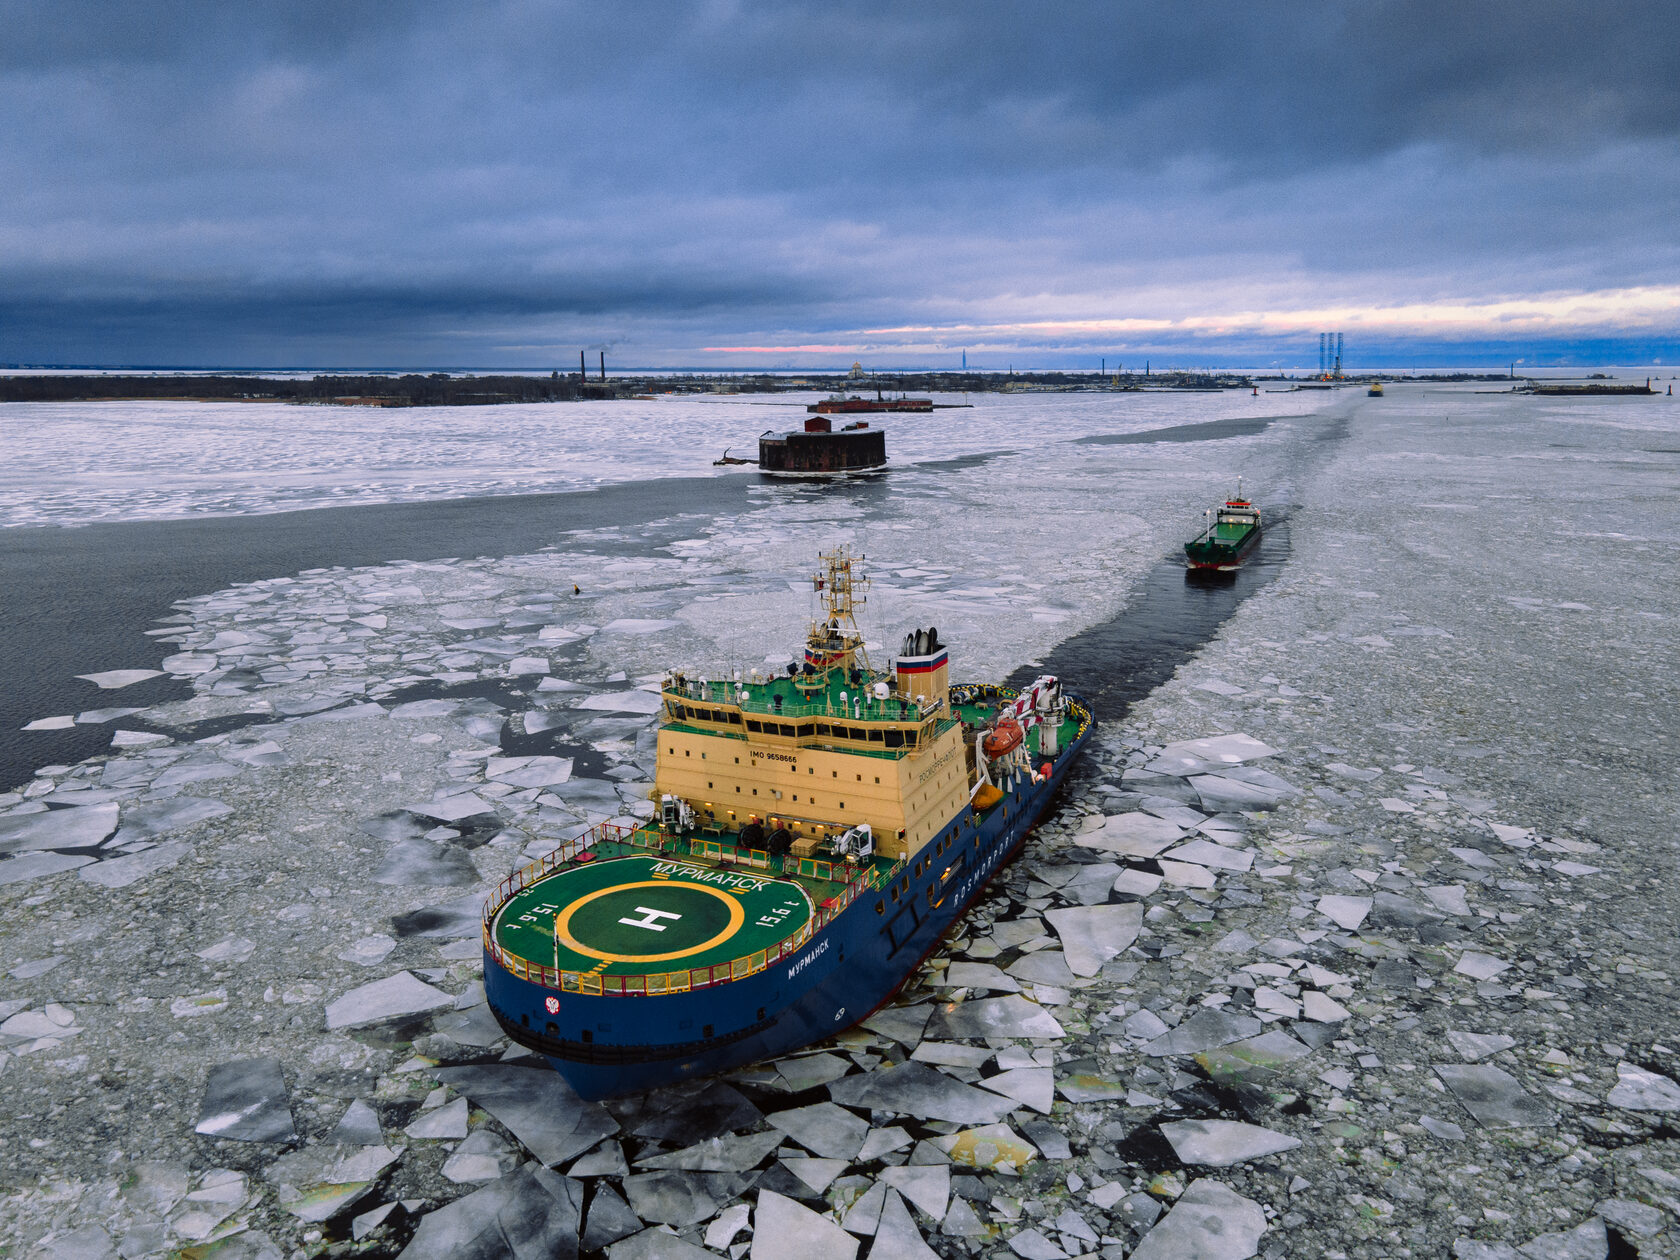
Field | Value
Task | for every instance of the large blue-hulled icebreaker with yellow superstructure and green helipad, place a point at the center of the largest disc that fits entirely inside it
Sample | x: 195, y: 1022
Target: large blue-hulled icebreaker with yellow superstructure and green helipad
x: 816, y: 832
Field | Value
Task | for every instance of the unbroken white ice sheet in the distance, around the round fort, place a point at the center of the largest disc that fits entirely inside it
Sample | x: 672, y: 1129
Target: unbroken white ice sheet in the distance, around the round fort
x: 80, y: 463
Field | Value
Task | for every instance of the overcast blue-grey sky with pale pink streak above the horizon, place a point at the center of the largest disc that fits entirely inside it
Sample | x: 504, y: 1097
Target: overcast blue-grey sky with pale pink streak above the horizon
x: 475, y: 186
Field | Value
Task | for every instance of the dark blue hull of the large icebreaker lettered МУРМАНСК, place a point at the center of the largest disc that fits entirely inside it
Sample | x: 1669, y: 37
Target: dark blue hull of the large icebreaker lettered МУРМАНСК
x: 607, y: 1046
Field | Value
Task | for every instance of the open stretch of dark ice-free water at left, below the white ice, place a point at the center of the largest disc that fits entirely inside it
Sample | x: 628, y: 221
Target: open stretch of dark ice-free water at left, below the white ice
x: 80, y: 601
